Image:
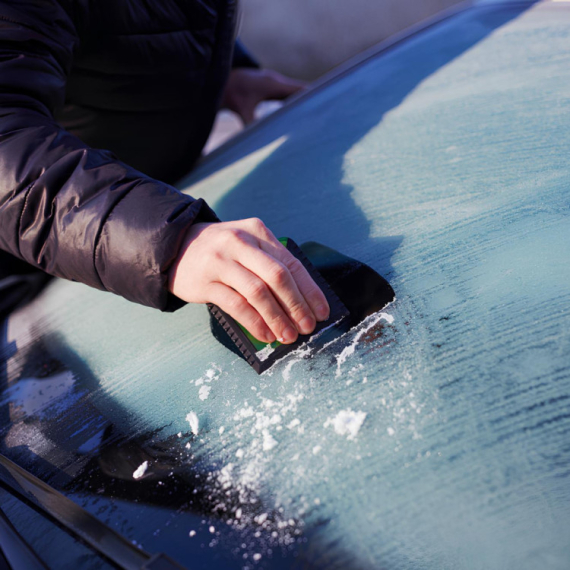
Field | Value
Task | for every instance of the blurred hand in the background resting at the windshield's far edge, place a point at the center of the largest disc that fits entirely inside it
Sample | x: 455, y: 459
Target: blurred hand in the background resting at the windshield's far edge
x: 247, y: 87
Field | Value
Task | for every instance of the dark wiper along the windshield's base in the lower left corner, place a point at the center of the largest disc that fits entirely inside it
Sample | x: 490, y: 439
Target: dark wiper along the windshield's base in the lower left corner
x: 77, y: 521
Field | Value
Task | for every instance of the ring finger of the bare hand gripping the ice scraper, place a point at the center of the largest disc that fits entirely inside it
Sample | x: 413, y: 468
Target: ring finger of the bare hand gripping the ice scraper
x: 259, y: 295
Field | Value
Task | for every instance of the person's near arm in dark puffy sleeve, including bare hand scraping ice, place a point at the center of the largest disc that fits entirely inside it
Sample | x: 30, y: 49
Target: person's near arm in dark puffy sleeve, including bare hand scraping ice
x: 81, y: 214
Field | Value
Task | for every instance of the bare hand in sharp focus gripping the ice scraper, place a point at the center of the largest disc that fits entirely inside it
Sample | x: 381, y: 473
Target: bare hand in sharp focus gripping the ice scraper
x: 244, y: 269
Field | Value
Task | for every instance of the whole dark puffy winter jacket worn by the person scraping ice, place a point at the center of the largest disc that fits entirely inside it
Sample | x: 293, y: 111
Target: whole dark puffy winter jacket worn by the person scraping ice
x: 140, y: 78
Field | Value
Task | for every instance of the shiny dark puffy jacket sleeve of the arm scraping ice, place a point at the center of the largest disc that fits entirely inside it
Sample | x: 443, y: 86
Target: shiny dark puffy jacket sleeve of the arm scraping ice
x: 73, y: 211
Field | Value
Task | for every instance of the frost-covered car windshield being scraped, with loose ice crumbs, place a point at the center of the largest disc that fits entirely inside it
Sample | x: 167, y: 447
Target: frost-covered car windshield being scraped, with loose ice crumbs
x: 433, y: 435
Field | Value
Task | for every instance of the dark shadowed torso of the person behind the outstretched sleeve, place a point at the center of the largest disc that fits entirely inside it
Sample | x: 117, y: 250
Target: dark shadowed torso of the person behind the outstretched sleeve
x: 147, y: 78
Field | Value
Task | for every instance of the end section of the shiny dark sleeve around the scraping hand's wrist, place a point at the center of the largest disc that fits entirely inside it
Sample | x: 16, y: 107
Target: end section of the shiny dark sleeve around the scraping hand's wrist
x: 141, y: 239
